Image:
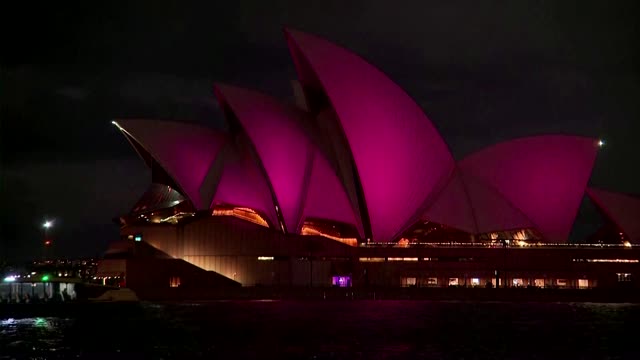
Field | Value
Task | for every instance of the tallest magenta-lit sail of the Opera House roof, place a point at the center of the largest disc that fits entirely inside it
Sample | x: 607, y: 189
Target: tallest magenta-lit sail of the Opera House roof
x: 399, y: 155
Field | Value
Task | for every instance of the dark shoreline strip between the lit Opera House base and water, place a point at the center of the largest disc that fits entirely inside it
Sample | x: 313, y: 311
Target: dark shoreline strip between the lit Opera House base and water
x: 315, y: 295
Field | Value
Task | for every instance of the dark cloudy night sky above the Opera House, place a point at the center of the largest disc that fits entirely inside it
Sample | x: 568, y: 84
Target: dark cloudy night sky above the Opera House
x: 484, y: 72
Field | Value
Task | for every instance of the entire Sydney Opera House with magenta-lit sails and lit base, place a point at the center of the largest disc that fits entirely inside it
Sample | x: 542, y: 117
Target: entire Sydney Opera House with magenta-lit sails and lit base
x: 352, y: 185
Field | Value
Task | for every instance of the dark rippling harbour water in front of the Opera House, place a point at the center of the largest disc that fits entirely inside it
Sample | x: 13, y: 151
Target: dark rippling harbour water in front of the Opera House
x: 329, y: 330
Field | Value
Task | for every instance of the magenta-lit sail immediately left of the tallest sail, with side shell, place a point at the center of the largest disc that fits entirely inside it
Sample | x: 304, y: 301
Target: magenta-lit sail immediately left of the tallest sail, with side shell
x: 302, y: 179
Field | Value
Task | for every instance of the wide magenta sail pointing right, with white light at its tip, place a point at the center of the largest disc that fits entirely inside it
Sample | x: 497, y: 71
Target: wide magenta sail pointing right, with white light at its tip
x: 542, y: 176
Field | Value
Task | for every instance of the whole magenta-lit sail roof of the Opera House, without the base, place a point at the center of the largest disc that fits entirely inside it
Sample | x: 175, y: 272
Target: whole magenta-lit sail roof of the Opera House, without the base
x: 356, y: 149
